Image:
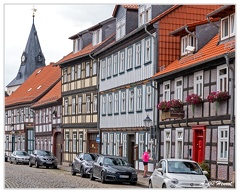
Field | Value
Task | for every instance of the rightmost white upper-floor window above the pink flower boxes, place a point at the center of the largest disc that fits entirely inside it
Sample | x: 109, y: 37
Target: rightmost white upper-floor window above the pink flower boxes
x: 222, y: 78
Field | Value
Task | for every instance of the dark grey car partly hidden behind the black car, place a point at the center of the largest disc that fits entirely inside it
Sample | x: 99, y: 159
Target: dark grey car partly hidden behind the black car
x: 82, y: 163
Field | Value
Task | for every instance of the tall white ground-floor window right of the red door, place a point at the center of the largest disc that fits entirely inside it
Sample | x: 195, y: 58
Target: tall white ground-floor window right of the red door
x: 223, y: 143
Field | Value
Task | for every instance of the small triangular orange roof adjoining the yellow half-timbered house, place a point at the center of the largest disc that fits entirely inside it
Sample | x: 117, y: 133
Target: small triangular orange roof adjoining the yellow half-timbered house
x: 52, y: 96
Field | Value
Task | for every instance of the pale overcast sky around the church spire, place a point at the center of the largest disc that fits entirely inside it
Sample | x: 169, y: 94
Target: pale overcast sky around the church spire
x: 54, y: 23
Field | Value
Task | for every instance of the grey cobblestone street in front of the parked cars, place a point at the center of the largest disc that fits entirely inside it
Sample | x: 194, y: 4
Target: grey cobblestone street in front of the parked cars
x: 23, y: 176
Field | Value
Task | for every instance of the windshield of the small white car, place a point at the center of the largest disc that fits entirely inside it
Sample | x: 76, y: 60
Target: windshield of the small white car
x: 184, y: 167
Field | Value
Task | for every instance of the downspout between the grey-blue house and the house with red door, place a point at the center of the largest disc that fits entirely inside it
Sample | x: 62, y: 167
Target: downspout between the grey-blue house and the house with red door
x: 153, y: 85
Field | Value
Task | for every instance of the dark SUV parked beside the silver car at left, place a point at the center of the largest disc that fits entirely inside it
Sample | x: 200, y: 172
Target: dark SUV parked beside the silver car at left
x: 43, y: 158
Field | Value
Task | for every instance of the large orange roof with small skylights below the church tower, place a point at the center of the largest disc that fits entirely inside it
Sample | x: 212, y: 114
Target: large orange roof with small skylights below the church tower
x: 40, y: 81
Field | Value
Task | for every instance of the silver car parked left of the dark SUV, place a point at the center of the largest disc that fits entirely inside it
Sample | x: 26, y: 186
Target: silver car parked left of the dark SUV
x: 19, y: 157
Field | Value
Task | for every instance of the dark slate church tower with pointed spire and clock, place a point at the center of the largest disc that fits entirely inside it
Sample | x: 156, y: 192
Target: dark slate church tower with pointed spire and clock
x: 31, y: 59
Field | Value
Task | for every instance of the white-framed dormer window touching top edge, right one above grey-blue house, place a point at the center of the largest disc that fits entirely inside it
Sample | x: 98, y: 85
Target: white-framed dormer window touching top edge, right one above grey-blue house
x: 145, y: 14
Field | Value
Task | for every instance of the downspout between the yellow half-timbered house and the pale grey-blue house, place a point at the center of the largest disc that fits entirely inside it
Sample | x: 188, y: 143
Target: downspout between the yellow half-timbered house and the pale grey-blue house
x: 98, y: 103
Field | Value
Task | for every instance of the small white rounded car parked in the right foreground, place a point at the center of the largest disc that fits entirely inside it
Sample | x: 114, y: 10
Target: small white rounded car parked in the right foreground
x: 178, y: 173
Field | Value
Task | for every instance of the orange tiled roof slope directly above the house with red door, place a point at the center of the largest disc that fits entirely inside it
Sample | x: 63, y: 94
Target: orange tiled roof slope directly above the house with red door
x: 210, y: 51
